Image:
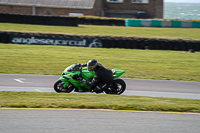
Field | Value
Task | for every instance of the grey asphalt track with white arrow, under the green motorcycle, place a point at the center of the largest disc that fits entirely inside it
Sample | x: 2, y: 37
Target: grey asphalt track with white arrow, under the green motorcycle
x: 137, y: 87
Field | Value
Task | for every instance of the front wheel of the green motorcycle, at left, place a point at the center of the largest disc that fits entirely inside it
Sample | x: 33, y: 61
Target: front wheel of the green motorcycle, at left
x: 58, y: 87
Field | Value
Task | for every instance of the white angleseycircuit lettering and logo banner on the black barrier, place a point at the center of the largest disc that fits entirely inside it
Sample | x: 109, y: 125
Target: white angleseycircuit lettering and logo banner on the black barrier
x: 55, y: 40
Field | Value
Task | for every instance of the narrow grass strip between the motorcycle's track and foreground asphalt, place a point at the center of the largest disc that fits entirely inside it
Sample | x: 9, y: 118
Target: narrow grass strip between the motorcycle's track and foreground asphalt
x: 96, y: 101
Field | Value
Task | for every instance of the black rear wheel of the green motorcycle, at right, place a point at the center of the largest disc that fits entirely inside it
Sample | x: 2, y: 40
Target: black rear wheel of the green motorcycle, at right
x: 118, y: 86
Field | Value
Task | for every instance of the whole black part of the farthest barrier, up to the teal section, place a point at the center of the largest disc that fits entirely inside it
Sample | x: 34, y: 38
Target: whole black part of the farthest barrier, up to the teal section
x: 56, y: 20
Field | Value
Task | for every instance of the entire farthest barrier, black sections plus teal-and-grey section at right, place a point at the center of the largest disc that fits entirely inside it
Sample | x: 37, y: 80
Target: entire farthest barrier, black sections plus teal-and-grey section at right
x: 74, y: 21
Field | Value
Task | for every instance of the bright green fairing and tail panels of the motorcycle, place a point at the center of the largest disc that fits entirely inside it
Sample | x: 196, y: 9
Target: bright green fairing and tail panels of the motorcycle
x: 76, y: 69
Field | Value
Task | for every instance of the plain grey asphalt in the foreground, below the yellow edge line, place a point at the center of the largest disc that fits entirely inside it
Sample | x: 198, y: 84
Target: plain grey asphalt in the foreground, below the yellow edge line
x: 95, y: 121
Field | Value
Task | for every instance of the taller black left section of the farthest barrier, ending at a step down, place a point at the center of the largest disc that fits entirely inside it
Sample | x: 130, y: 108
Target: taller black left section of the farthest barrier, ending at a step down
x: 36, y: 19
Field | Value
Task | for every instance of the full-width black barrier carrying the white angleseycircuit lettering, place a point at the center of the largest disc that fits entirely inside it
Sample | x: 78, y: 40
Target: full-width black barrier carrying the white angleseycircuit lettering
x: 98, y: 41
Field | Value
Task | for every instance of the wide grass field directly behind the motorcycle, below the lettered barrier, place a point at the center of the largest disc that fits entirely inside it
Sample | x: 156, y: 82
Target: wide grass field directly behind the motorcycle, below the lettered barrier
x: 145, y: 64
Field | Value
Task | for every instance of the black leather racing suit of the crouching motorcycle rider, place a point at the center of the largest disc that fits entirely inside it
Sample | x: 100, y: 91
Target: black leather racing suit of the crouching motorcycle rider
x: 103, y: 78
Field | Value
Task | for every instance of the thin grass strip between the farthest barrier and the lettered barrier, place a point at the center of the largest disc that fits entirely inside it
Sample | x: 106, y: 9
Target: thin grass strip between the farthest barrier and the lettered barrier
x: 192, y: 33
